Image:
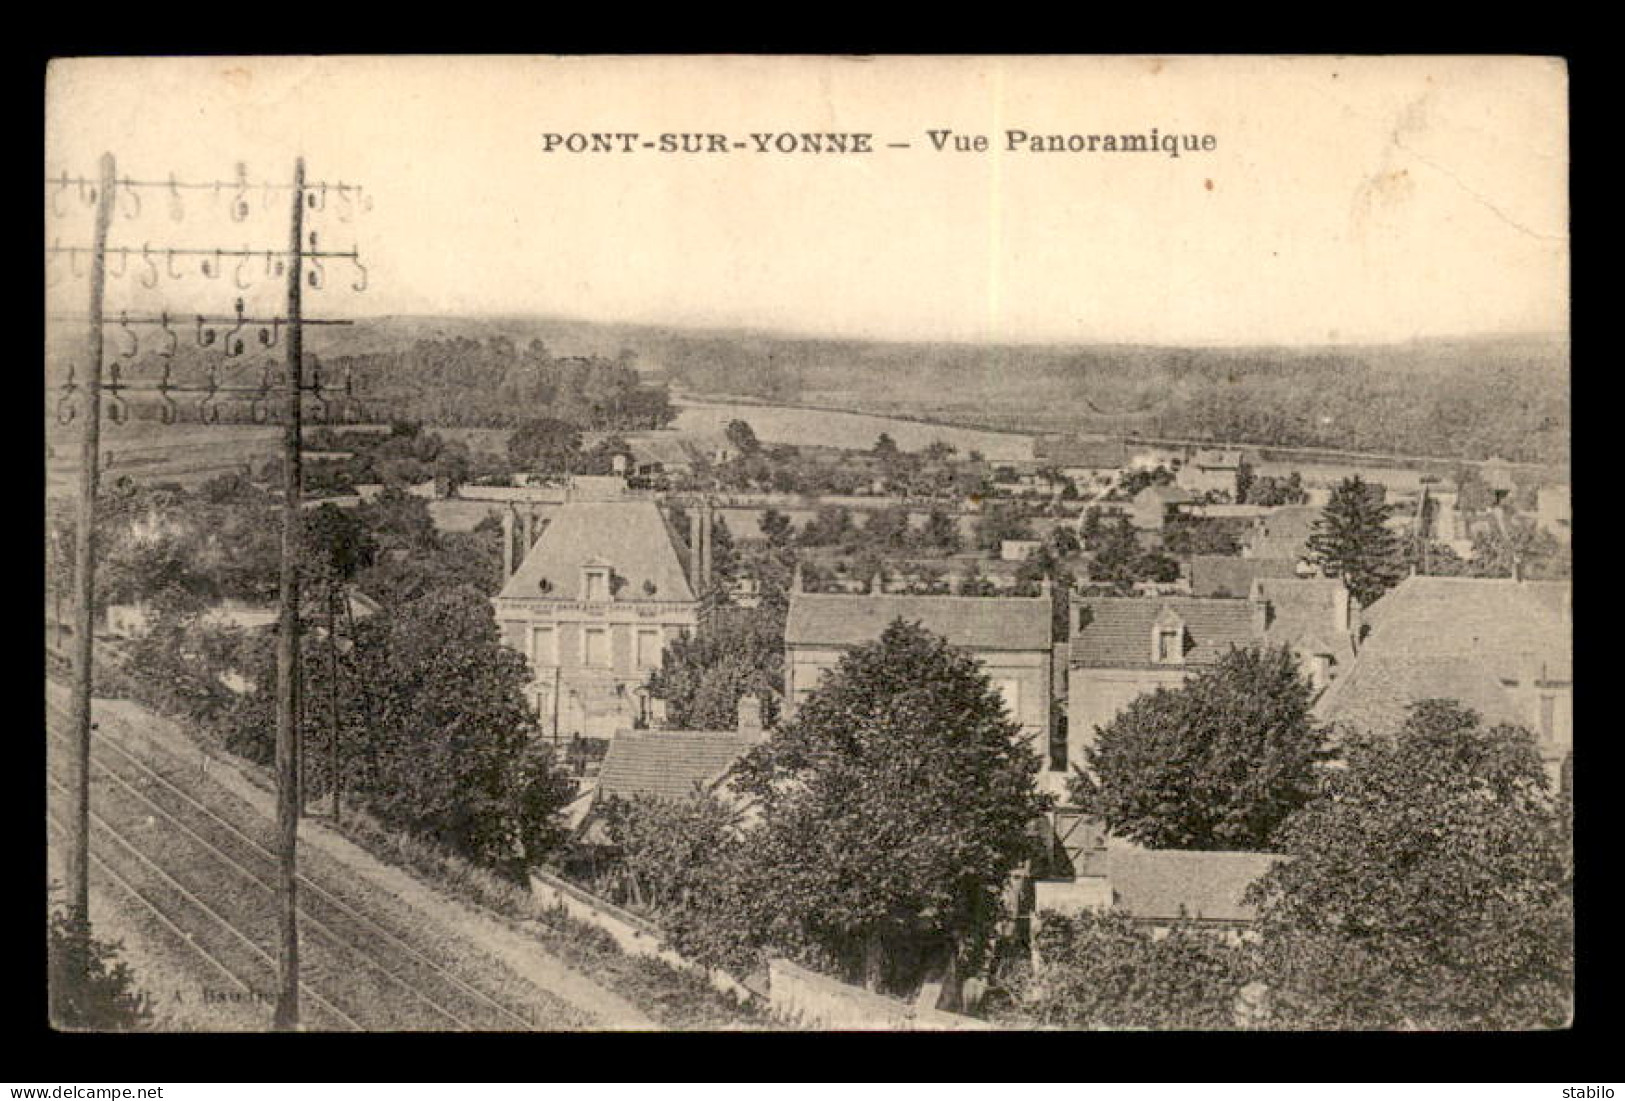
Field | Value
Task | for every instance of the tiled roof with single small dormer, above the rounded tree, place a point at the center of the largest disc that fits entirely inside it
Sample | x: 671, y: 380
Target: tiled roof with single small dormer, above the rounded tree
x: 1117, y: 631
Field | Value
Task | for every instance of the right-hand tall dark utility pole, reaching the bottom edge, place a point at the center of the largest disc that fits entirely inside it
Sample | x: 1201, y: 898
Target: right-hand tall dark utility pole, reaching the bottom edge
x: 288, y: 793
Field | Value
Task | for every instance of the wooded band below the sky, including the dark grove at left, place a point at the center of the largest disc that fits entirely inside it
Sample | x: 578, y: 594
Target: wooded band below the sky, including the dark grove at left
x: 1467, y: 399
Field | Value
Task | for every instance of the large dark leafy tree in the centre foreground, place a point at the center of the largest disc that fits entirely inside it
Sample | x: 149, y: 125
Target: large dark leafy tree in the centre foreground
x: 895, y: 810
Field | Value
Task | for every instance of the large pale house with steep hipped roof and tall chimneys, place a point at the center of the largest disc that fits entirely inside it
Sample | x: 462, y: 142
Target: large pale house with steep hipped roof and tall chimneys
x: 604, y: 587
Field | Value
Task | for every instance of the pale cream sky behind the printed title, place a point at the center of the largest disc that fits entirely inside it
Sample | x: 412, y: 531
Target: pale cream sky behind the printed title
x: 1346, y: 201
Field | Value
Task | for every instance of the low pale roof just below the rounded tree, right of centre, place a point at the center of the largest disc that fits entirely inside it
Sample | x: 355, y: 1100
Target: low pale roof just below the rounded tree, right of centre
x: 1169, y: 884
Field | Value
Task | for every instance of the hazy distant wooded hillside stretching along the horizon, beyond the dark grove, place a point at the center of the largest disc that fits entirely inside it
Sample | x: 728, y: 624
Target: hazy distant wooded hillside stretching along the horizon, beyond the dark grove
x: 1454, y: 399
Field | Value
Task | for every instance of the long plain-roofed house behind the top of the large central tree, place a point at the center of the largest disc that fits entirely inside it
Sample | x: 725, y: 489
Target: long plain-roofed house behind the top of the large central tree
x: 1012, y: 637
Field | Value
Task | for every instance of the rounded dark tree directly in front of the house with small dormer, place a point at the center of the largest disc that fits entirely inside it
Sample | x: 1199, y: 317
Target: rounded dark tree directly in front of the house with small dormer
x: 1216, y: 764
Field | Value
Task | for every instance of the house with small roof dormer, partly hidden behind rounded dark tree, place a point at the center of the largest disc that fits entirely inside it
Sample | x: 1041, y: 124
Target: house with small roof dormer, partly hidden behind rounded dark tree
x: 1125, y: 647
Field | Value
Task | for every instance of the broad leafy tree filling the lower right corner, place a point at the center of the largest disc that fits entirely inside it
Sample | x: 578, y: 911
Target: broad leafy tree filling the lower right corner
x: 1431, y: 886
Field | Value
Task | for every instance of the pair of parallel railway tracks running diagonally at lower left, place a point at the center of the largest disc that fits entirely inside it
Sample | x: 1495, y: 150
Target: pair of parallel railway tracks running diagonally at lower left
x: 360, y: 972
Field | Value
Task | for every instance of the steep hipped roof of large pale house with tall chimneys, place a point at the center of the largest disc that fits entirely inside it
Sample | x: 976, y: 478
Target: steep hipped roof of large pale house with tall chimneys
x: 630, y: 535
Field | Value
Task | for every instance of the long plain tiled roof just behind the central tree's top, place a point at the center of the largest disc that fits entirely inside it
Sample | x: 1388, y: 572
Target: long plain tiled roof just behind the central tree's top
x: 973, y: 623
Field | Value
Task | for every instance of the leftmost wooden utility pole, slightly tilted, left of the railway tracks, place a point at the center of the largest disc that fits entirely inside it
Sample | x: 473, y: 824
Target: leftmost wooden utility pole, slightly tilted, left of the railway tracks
x: 85, y: 553
